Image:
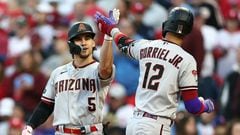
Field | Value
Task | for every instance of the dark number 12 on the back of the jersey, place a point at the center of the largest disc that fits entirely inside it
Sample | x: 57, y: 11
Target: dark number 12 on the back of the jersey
x: 150, y: 77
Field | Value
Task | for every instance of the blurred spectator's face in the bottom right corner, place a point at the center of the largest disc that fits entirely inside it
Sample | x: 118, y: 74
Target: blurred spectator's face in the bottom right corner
x: 234, y: 127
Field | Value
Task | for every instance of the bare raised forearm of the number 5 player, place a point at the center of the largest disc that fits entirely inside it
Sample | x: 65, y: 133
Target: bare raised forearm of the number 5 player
x: 106, y: 59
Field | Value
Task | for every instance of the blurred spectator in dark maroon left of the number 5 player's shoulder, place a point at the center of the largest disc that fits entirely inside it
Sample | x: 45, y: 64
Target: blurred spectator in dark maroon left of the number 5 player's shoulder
x: 25, y: 85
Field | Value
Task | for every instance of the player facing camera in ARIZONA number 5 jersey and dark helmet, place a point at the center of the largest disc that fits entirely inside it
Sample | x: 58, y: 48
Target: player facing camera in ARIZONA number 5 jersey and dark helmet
x: 76, y: 92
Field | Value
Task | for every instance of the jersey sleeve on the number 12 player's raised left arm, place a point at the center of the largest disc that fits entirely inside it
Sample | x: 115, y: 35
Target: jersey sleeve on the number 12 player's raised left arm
x: 135, y: 47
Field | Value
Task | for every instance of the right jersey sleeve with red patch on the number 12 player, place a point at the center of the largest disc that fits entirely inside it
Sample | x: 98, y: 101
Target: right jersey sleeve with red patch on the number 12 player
x: 188, y: 79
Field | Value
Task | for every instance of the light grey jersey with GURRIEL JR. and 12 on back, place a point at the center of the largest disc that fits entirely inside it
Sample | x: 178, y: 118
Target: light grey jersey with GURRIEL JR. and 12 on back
x: 165, y: 70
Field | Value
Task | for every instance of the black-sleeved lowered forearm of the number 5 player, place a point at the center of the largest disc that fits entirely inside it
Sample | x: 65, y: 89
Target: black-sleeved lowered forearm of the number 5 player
x: 40, y: 114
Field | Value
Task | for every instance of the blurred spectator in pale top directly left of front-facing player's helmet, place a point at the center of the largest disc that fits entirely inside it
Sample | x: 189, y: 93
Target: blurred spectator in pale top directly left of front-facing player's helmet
x: 61, y: 55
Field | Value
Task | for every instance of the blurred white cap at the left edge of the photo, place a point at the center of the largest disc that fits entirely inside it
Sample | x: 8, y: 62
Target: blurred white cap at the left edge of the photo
x: 6, y: 106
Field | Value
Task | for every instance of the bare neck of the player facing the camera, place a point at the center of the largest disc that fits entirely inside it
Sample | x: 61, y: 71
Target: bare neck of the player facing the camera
x: 80, y: 62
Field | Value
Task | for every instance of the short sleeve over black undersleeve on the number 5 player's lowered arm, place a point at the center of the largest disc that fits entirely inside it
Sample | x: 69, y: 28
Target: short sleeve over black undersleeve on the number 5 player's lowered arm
x: 49, y: 91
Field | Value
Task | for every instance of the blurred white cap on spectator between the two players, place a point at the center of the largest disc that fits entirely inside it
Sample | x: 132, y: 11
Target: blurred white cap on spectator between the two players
x: 117, y: 91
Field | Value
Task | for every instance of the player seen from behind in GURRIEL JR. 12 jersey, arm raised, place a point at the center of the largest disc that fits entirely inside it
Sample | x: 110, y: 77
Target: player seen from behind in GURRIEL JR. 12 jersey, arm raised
x: 166, y: 71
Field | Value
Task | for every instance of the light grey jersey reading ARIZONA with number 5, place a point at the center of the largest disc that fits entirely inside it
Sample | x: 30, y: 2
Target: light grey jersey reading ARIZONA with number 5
x: 78, y: 94
